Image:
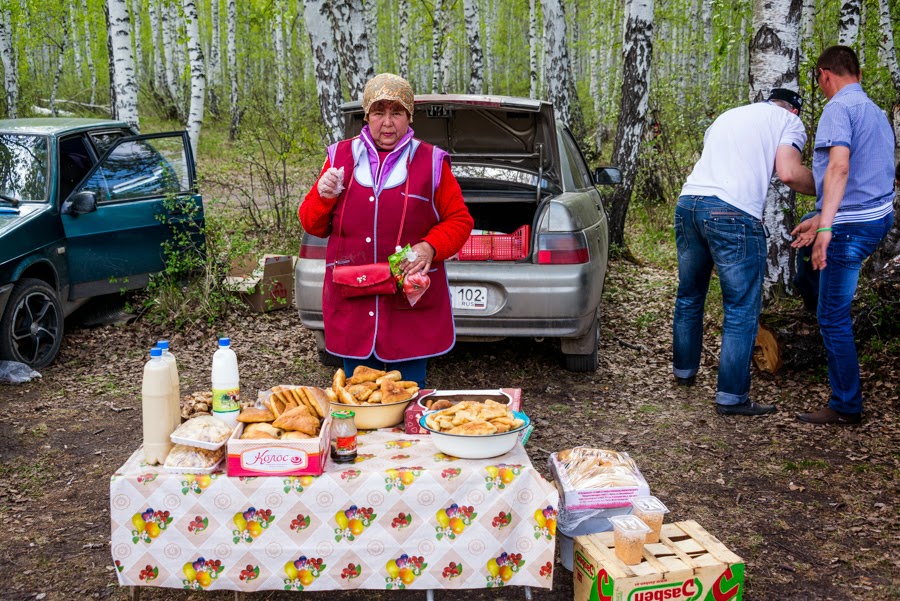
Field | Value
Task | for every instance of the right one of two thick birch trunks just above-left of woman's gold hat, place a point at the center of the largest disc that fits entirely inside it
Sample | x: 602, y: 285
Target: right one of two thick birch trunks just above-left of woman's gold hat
x: 352, y: 40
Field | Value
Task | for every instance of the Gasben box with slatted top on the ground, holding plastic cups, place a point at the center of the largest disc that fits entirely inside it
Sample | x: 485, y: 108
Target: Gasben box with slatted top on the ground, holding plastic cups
x: 688, y: 563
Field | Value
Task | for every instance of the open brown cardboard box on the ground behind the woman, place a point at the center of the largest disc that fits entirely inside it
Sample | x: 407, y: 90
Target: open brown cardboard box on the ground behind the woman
x: 265, y: 284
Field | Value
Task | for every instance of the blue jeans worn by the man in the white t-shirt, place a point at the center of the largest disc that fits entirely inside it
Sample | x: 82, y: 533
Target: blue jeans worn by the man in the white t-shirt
x: 711, y: 232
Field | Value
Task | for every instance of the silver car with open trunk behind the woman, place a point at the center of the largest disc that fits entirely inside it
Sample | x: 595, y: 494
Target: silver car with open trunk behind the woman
x: 536, y: 261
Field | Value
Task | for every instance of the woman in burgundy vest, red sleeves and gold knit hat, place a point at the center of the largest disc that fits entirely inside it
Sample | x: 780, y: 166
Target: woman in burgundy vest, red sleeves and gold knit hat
x: 374, y: 188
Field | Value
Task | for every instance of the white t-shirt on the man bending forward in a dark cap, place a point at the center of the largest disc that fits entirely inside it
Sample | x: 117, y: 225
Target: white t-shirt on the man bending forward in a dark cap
x: 739, y: 155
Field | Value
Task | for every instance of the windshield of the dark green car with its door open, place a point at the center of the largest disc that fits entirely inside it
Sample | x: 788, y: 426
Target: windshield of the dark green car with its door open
x: 23, y: 167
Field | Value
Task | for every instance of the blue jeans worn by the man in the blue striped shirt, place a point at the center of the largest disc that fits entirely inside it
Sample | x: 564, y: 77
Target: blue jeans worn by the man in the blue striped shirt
x: 851, y: 244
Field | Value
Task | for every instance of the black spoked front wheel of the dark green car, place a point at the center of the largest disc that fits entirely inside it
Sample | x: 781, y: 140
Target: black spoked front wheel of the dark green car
x: 32, y: 326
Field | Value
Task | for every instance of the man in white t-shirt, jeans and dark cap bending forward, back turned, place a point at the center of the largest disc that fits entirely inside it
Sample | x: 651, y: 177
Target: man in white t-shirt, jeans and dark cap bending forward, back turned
x: 718, y: 222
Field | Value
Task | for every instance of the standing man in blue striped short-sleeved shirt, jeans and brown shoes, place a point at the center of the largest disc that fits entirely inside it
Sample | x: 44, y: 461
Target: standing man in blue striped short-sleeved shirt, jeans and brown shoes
x: 854, y: 174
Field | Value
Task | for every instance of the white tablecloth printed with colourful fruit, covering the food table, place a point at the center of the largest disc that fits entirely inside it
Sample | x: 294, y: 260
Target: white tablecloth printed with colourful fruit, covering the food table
x: 404, y: 516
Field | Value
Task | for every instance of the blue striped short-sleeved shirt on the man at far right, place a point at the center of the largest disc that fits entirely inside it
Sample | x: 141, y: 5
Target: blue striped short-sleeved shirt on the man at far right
x: 852, y: 120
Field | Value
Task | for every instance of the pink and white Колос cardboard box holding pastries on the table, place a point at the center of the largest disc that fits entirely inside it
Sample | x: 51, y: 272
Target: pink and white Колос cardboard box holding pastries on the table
x: 262, y: 457
